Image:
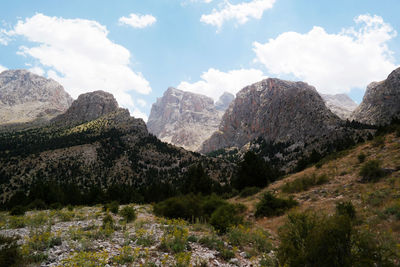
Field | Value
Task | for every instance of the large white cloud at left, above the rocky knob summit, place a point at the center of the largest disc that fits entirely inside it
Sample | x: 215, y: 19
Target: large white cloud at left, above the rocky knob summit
x: 80, y: 56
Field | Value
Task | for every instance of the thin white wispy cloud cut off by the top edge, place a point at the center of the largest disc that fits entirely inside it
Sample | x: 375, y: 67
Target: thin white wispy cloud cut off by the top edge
x: 240, y: 12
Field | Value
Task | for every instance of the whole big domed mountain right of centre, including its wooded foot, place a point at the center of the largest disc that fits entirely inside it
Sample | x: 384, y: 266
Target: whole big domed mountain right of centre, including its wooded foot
x: 282, y: 120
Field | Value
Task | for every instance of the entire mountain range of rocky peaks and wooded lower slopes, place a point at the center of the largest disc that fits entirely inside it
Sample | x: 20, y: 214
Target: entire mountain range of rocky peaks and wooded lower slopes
x: 92, y: 142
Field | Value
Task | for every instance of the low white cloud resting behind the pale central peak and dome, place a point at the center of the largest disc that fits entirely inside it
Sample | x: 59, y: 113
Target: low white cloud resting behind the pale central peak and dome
x: 214, y: 82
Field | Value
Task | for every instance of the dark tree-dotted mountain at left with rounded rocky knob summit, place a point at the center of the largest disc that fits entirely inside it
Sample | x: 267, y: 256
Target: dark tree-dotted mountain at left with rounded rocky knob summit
x: 112, y: 150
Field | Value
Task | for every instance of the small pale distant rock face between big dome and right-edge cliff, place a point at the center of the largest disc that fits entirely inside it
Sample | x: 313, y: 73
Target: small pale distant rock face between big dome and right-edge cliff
x: 340, y: 104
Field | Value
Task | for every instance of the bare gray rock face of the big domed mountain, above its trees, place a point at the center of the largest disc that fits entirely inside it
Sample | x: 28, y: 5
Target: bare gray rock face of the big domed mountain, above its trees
x: 278, y: 111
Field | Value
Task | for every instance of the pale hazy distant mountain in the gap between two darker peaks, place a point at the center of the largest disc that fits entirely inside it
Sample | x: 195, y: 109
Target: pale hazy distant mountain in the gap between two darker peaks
x: 186, y: 119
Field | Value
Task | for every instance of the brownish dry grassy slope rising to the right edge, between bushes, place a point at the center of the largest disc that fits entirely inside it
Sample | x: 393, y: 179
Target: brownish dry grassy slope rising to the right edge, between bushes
x: 370, y: 199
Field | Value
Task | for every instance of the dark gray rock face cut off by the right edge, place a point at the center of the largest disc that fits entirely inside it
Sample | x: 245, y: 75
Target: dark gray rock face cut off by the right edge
x: 381, y: 101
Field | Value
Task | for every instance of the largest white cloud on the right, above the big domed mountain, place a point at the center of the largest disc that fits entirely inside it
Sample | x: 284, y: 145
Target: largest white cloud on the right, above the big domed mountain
x: 334, y: 63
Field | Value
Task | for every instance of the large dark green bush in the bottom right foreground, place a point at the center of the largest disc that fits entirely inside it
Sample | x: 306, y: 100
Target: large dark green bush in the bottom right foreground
x: 311, y: 240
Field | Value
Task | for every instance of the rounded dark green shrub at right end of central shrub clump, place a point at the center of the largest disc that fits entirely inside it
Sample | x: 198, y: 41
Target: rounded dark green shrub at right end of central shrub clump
x: 225, y: 217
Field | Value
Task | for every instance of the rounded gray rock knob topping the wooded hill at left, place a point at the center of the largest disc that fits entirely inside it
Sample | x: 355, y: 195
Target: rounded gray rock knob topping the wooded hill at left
x: 88, y: 107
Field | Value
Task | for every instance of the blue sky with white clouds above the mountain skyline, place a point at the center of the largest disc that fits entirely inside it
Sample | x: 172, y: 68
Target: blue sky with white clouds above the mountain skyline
x: 136, y: 49
